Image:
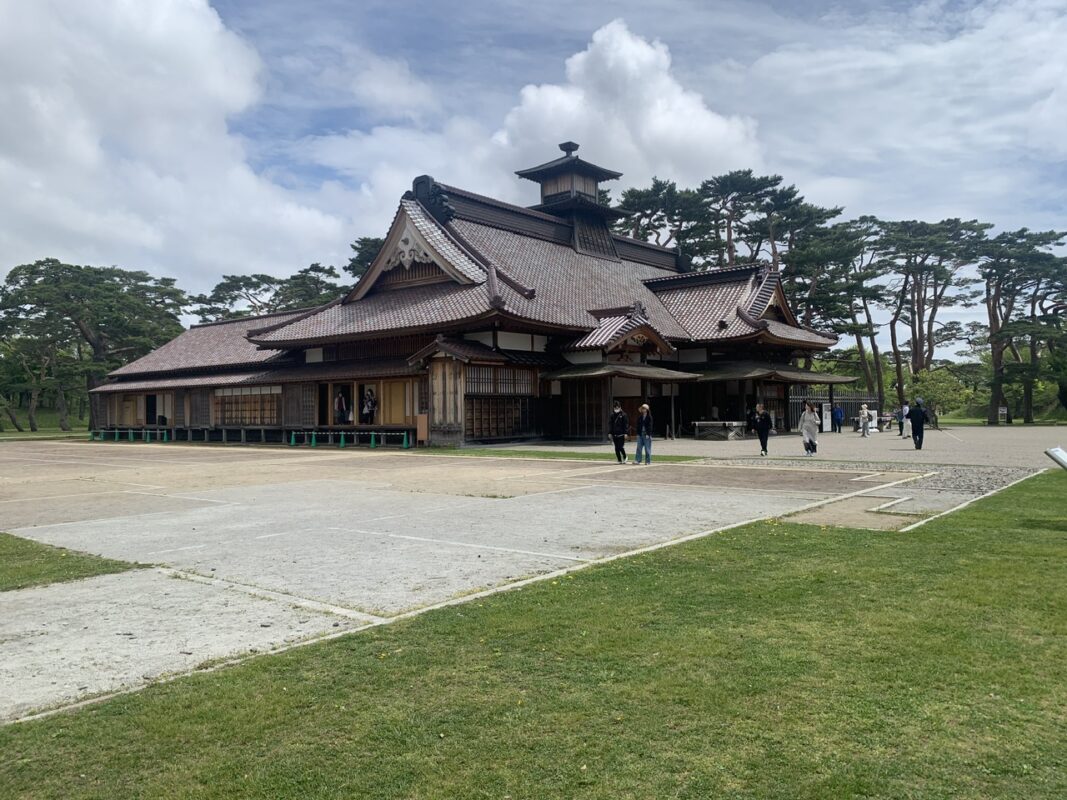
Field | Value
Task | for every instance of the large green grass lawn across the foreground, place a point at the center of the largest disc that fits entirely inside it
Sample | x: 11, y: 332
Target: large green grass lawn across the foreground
x: 774, y: 661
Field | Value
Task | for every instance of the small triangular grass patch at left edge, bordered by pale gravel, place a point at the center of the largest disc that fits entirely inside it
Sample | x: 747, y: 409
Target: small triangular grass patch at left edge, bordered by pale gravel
x: 25, y: 564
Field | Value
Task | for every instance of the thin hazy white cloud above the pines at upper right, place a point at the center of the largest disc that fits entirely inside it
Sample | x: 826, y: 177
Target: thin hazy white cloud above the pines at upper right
x: 935, y: 110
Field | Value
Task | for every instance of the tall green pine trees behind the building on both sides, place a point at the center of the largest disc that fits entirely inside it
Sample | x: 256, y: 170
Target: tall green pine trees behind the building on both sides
x: 65, y: 327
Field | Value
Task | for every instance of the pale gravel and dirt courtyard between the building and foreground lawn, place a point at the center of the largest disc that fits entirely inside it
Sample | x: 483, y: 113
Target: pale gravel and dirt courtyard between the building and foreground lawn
x: 252, y: 550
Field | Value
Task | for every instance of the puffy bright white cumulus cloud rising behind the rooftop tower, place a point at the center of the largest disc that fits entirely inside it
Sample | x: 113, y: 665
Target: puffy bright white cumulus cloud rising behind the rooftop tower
x: 620, y: 102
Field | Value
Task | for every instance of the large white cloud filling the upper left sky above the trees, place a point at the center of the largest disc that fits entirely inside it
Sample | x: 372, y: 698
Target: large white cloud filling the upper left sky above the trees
x: 115, y: 146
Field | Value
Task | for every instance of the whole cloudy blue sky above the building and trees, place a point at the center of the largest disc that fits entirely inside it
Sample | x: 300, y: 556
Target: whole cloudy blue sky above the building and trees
x: 197, y: 139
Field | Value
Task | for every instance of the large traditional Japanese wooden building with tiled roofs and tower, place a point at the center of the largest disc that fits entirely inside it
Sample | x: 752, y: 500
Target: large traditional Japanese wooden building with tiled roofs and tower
x: 483, y: 322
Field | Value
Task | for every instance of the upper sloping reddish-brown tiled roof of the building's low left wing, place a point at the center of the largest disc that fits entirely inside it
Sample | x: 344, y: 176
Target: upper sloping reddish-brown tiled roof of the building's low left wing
x: 215, y: 345
